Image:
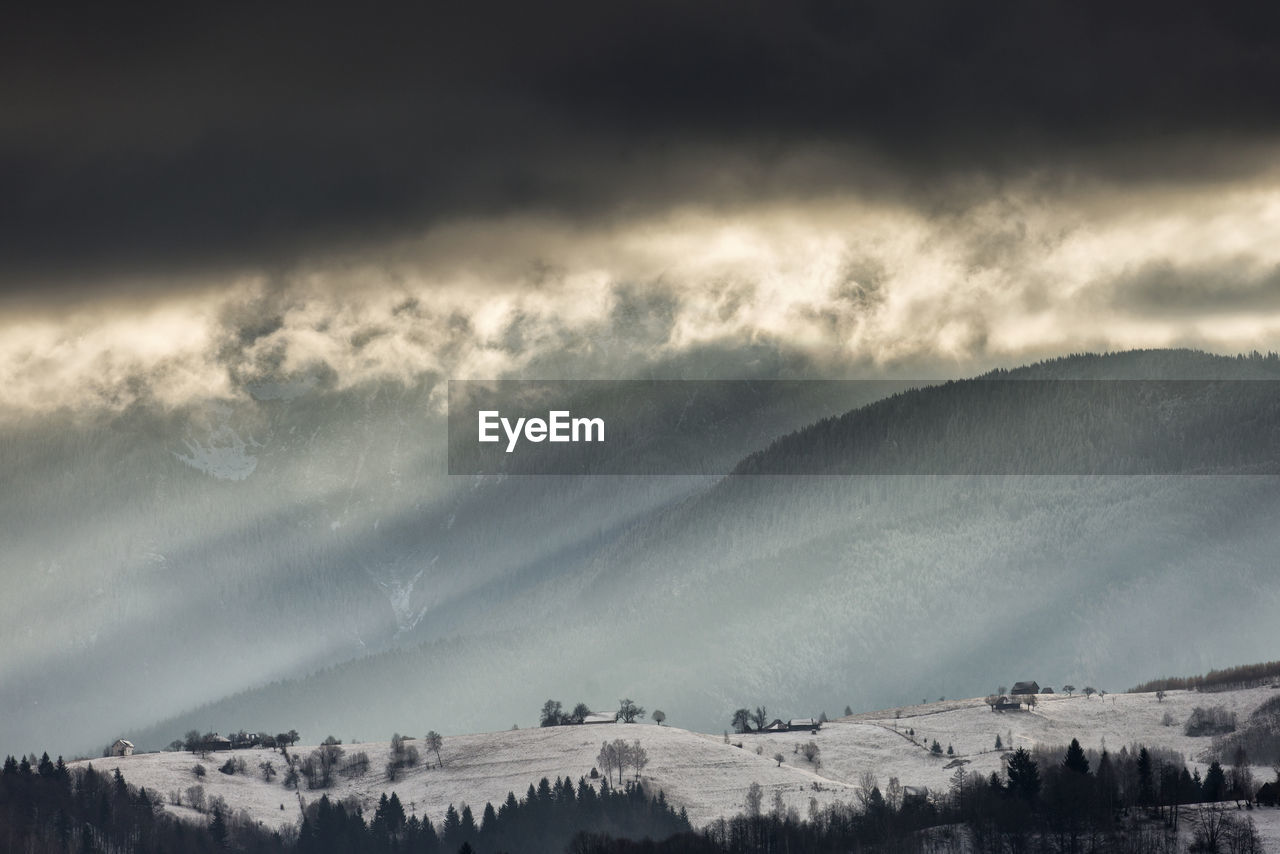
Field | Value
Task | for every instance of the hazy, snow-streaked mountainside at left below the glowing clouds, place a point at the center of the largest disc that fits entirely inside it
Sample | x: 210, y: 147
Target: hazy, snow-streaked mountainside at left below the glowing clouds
x: 273, y: 537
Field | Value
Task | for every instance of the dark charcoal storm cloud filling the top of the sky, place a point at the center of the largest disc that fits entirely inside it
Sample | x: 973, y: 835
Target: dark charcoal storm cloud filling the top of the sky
x: 226, y: 136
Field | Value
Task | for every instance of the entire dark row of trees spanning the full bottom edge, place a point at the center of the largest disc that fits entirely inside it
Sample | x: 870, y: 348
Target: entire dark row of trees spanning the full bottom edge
x: 1067, y: 801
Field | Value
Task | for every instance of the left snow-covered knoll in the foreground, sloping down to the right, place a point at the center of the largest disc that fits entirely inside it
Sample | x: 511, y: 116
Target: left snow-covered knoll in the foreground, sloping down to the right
x: 700, y: 773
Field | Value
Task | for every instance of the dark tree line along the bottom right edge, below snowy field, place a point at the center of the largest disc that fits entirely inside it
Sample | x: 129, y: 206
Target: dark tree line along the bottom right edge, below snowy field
x: 1066, y: 802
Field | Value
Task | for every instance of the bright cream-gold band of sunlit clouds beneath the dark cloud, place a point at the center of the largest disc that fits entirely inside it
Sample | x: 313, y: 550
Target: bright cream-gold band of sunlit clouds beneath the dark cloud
x: 840, y: 281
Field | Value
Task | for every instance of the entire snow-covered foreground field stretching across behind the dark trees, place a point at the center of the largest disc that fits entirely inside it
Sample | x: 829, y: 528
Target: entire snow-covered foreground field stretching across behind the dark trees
x: 710, y: 778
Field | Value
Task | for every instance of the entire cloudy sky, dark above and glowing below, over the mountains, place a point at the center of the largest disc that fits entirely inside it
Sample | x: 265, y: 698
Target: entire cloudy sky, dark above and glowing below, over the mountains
x: 195, y: 200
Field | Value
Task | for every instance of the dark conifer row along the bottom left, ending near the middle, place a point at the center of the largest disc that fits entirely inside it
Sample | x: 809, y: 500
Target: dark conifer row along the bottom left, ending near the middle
x: 45, y: 807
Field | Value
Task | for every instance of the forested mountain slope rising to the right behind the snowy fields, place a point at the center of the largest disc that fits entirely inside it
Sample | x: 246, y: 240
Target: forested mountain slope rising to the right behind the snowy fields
x: 807, y: 593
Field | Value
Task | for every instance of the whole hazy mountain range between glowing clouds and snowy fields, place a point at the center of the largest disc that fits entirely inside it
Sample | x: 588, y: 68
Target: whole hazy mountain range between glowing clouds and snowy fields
x: 276, y: 565
